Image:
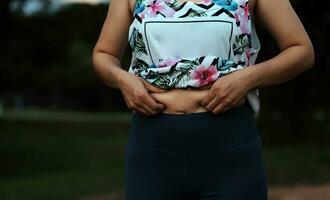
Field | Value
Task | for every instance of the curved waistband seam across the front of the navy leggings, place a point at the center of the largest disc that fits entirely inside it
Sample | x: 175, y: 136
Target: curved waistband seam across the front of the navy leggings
x: 245, y: 140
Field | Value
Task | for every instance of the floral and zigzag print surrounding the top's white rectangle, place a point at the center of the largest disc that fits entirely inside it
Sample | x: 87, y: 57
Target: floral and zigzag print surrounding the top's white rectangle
x: 183, y: 72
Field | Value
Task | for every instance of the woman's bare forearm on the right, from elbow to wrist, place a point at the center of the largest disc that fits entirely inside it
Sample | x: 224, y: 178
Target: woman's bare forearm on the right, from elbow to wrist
x: 286, y: 65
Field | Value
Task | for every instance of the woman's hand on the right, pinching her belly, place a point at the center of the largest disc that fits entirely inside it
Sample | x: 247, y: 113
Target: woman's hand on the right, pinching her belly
x: 227, y: 92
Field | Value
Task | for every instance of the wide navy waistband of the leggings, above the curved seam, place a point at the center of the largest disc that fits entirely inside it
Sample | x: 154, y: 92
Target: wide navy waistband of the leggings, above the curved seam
x: 193, y: 132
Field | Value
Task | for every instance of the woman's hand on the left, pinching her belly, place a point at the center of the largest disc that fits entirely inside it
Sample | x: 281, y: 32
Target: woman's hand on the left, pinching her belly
x: 135, y: 91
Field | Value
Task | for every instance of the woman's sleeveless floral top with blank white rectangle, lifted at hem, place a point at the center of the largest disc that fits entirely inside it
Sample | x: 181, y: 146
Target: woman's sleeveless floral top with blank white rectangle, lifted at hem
x: 189, y: 45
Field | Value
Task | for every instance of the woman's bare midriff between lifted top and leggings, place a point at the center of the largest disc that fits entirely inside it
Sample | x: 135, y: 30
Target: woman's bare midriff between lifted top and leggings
x: 182, y: 101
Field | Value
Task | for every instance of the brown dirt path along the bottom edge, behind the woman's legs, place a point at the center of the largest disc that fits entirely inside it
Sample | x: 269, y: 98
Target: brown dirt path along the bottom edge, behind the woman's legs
x: 297, y: 192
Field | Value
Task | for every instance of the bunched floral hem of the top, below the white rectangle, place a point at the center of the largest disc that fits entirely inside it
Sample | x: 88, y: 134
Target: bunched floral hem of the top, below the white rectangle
x: 184, y: 72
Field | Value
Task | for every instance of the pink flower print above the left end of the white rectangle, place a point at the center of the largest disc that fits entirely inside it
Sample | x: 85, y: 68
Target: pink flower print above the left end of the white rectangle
x: 158, y: 6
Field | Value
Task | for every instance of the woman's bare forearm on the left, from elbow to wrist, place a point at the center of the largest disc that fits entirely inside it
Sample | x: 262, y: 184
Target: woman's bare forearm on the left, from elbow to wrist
x: 108, y: 69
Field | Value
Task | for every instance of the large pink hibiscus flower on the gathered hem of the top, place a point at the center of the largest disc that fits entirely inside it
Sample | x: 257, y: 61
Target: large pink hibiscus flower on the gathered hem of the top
x: 204, y: 75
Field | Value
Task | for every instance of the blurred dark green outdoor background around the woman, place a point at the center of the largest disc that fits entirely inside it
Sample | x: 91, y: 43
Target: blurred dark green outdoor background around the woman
x: 63, y: 132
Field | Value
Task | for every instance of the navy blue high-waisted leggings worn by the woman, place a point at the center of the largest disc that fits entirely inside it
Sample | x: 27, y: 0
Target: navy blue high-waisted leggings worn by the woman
x: 195, y: 156
